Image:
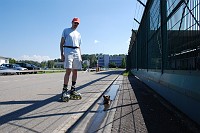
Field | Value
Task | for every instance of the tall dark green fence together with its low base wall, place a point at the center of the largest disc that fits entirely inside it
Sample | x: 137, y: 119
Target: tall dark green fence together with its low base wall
x: 165, y: 52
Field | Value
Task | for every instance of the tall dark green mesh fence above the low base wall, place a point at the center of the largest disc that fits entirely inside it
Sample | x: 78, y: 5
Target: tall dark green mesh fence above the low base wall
x: 168, y: 37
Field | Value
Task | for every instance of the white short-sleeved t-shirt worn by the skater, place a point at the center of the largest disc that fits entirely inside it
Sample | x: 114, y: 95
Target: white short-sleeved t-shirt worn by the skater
x: 72, y: 37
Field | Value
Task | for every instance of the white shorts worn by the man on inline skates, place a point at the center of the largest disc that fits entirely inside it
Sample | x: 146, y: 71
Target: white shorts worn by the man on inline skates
x: 72, y: 59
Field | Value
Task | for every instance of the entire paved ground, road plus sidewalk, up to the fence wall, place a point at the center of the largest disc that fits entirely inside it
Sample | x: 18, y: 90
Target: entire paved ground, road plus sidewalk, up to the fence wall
x: 30, y: 103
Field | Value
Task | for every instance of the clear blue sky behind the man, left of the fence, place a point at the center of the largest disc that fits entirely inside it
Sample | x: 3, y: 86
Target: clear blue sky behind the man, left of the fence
x: 31, y: 29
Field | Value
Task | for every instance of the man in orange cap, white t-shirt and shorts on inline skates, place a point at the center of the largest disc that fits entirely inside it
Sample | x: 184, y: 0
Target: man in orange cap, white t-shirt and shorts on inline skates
x: 71, y: 55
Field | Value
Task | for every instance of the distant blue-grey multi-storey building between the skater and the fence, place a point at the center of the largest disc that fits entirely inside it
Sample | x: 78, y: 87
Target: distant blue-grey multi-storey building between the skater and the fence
x: 105, y: 60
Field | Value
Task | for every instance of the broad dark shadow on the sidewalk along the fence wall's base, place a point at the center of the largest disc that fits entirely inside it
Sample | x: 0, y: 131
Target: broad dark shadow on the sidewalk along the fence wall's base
x: 159, y: 115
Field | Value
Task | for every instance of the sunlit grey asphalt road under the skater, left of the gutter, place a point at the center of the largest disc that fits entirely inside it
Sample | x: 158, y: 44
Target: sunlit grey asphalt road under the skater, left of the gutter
x: 31, y: 102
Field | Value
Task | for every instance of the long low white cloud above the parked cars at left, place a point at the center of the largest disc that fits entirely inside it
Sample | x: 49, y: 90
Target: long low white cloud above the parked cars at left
x: 38, y: 58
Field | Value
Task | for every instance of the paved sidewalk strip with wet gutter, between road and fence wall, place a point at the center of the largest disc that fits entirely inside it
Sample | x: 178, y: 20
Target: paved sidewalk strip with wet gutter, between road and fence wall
x: 135, y: 109
